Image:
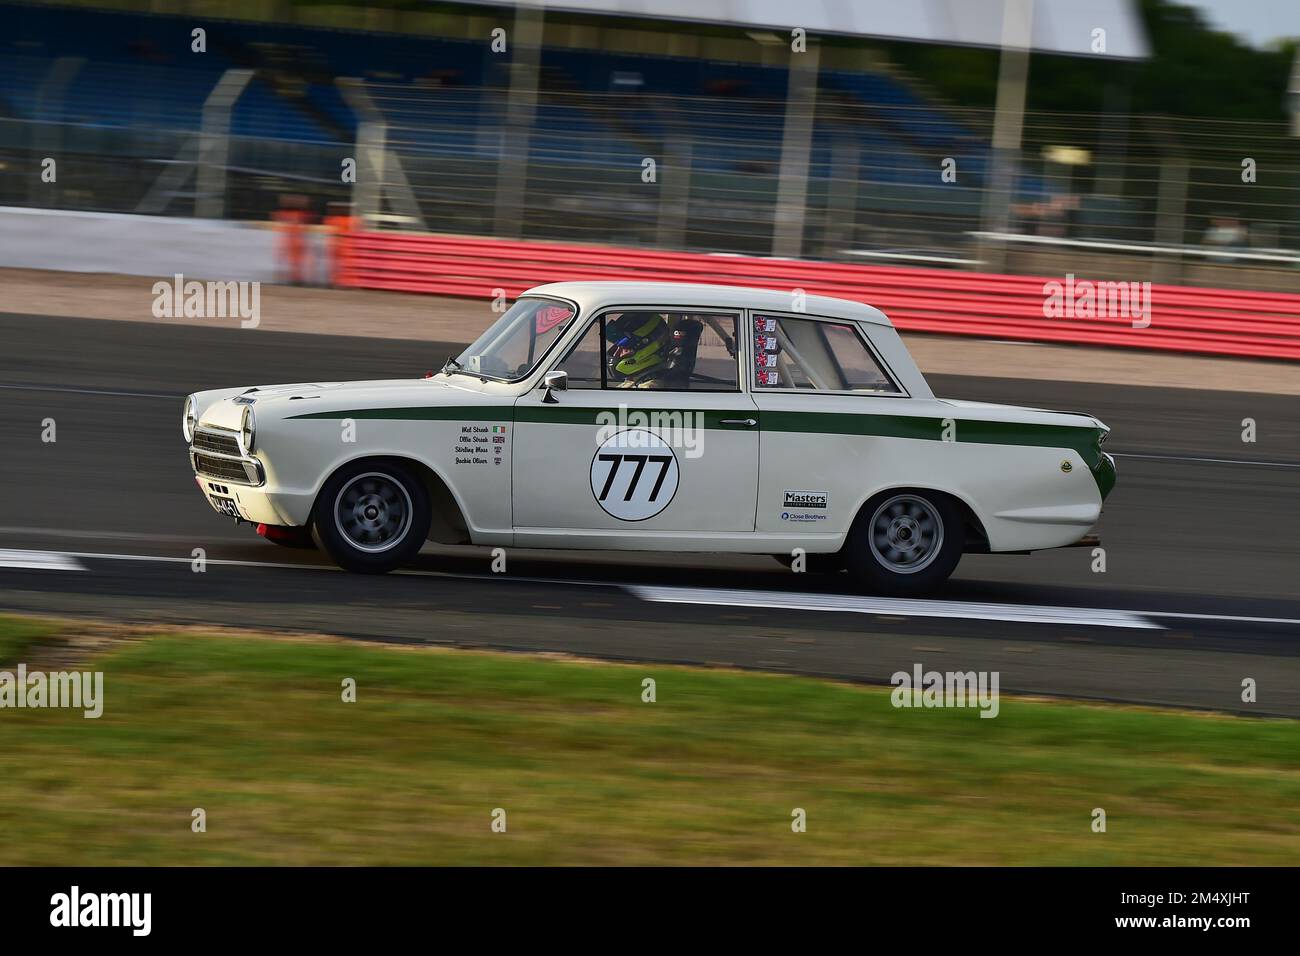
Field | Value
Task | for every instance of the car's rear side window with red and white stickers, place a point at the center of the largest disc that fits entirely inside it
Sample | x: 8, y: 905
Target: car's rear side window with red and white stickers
x: 816, y: 356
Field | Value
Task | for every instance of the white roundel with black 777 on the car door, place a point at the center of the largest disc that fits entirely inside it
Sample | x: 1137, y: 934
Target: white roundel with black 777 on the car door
x: 634, y: 475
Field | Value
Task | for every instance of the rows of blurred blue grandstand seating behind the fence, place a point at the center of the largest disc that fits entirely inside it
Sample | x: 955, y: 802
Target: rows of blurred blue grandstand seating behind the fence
x: 443, y: 100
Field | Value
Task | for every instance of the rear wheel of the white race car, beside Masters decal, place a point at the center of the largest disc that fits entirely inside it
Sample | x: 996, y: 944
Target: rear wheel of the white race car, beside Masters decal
x: 905, y: 543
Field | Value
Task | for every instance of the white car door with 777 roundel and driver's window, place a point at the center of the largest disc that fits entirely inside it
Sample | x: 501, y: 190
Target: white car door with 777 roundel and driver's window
x: 653, y: 434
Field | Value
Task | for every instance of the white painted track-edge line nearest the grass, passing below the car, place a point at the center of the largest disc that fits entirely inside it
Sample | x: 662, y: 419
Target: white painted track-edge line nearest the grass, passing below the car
x: 851, y: 604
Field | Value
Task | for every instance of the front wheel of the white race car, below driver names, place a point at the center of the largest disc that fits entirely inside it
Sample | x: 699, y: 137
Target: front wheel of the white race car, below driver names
x: 371, y: 517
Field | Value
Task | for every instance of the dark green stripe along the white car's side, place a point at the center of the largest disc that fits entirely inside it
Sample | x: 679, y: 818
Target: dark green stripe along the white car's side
x: 1081, y: 439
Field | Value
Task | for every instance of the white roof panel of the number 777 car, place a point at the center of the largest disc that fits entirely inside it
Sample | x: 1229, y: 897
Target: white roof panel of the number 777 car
x: 597, y: 296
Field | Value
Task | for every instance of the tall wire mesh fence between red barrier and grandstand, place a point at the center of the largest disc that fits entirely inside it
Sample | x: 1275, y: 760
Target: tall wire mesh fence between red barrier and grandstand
x: 1180, y: 200
